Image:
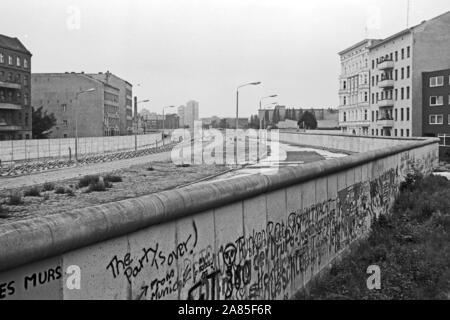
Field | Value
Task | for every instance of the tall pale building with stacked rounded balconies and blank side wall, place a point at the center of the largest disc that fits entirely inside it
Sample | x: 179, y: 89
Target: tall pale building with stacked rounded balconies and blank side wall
x: 396, y: 65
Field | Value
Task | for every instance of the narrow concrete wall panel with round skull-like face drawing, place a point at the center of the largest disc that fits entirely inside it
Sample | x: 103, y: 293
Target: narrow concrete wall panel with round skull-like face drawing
x: 228, y: 222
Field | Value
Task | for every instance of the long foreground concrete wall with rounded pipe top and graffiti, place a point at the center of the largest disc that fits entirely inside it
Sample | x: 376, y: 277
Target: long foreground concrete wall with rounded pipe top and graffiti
x: 253, y: 237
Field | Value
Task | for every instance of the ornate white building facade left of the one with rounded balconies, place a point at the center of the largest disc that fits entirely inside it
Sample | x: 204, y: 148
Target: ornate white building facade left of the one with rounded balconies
x: 354, y: 89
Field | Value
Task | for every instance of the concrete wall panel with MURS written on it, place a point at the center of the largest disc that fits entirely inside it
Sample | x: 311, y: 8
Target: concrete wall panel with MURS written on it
x: 37, y: 281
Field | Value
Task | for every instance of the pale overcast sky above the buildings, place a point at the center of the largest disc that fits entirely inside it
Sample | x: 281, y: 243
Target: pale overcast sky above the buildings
x: 178, y: 50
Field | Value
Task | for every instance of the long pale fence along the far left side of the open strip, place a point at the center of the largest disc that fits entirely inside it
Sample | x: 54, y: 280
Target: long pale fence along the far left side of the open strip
x: 37, y: 150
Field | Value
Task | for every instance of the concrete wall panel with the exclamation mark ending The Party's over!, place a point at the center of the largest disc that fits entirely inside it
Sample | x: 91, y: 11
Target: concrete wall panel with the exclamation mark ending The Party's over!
x: 197, y: 276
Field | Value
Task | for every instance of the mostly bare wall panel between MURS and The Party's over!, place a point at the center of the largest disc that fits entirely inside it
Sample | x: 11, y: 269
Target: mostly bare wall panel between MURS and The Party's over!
x: 99, y: 278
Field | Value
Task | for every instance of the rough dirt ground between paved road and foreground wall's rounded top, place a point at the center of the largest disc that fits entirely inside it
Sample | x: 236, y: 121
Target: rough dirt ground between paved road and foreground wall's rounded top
x: 137, y: 181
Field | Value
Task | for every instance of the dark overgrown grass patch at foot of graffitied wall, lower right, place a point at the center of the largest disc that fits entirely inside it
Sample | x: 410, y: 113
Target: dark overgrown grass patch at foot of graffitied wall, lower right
x: 411, y: 247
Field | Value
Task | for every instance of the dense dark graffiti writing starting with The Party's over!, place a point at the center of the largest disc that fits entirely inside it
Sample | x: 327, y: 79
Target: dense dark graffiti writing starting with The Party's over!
x: 264, y: 263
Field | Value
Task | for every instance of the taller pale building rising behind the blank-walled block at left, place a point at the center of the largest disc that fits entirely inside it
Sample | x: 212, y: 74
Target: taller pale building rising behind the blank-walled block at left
x: 125, y: 100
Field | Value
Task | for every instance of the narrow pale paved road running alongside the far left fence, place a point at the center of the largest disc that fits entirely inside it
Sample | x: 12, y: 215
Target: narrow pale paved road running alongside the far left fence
x: 75, y: 172
